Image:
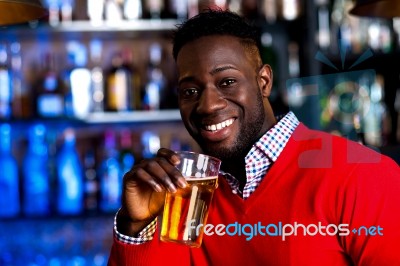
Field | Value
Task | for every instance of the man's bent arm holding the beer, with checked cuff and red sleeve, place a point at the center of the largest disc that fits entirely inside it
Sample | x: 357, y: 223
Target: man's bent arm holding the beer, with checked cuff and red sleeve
x: 143, y: 195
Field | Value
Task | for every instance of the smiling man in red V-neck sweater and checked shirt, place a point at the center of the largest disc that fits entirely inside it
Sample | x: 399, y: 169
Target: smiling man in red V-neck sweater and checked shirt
x: 291, y: 195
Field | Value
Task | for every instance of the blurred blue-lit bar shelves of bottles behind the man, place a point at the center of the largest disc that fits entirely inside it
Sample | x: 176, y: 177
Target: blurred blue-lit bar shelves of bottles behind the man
x: 90, y: 89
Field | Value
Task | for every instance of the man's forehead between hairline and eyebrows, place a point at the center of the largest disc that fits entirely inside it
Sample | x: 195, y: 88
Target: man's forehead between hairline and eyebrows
x: 210, y: 51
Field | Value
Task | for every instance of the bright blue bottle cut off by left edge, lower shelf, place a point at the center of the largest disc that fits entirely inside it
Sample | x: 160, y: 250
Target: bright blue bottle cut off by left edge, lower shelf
x: 9, y: 179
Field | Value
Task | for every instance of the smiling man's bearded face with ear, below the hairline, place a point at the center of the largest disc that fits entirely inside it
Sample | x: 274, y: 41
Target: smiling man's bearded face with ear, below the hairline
x: 221, y: 95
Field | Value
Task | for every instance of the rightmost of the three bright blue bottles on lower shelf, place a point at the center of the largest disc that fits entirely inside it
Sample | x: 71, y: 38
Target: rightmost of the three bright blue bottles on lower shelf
x: 69, y: 177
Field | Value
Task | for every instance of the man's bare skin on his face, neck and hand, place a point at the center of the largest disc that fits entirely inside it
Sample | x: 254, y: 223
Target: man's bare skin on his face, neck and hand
x: 223, y: 100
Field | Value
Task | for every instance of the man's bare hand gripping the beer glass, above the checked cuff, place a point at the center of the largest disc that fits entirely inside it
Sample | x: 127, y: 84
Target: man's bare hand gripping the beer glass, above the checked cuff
x: 144, y: 188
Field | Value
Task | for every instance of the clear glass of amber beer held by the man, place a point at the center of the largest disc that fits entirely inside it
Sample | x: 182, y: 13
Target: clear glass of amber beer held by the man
x: 186, y: 210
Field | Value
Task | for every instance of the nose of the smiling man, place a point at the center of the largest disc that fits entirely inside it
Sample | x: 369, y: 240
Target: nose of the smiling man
x: 211, y: 100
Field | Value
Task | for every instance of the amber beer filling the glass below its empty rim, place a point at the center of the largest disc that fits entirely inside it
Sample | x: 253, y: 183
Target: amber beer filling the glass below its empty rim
x: 185, y: 209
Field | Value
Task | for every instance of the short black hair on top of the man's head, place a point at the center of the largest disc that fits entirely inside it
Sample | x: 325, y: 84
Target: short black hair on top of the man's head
x: 215, y: 22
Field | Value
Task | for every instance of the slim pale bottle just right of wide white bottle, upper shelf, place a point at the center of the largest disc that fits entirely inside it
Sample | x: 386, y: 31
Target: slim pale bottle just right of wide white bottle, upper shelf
x: 97, y: 77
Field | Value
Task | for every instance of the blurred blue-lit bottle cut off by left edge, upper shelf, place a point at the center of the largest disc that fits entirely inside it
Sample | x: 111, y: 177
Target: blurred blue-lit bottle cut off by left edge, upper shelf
x: 5, y: 83
